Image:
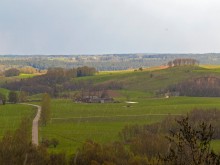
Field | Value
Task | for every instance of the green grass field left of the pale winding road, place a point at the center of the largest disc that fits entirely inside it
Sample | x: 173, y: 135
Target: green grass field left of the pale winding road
x: 11, y: 116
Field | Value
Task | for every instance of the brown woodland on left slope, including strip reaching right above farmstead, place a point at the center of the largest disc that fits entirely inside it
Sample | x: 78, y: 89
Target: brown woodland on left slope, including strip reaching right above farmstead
x: 58, y: 80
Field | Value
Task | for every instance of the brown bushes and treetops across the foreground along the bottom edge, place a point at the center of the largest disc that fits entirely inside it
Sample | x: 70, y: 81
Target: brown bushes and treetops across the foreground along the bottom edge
x: 185, y: 144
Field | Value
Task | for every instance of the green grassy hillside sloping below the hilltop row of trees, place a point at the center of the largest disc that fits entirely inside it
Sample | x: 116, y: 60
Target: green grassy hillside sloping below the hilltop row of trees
x: 151, y: 80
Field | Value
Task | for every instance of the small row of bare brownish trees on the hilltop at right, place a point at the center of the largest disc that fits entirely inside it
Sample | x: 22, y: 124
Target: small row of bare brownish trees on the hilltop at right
x: 183, y: 62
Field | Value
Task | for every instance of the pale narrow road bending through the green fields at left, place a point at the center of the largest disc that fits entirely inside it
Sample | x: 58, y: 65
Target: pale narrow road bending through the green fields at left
x: 35, y: 124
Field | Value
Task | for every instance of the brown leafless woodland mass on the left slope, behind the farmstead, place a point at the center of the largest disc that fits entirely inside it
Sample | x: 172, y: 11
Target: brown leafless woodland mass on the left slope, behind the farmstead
x: 52, y: 82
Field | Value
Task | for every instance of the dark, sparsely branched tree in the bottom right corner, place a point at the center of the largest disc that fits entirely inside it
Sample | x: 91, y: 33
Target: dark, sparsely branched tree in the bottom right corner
x: 191, y: 146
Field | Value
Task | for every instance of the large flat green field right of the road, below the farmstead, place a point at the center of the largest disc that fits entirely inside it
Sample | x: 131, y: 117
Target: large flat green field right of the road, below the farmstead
x: 73, y: 123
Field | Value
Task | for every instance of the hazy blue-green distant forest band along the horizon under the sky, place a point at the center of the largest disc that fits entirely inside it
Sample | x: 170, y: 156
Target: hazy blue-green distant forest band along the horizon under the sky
x: 100, y: 62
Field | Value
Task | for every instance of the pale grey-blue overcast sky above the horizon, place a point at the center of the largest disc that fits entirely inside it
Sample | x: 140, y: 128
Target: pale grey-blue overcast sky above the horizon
x: 109, y: 26
